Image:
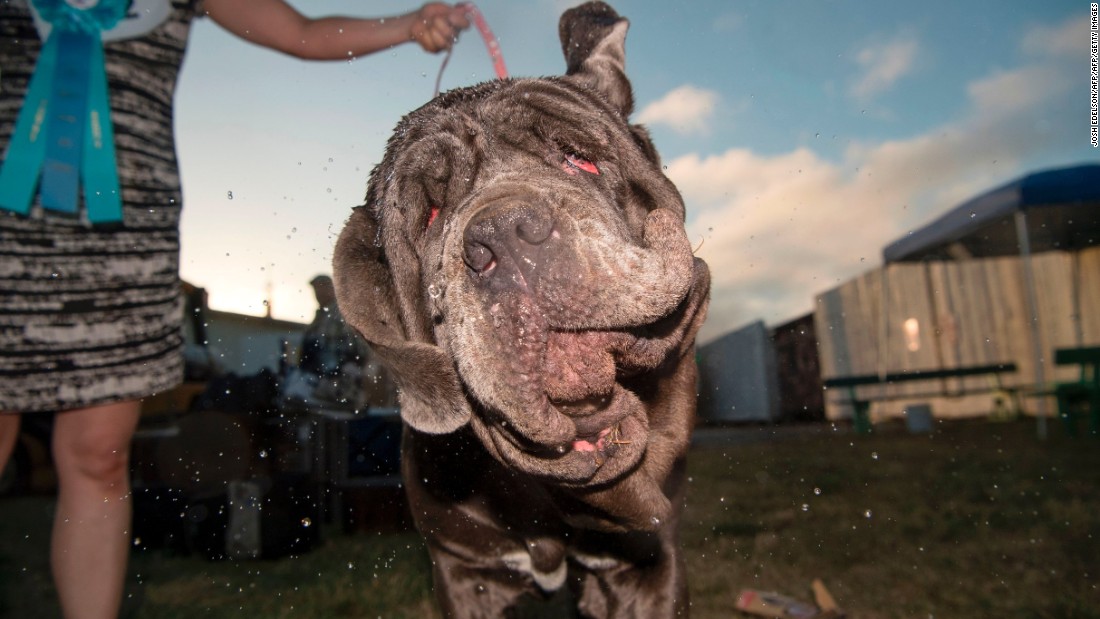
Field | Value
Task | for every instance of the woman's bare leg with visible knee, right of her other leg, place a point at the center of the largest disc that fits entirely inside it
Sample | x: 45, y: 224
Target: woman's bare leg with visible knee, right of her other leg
x: 92, y: 536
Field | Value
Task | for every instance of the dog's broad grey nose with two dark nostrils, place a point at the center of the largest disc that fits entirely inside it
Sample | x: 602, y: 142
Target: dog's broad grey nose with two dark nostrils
x: 504, y: 240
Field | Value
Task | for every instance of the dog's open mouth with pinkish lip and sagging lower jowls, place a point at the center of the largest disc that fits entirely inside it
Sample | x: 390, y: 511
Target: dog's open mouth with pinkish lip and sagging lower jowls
x: 588, y: 425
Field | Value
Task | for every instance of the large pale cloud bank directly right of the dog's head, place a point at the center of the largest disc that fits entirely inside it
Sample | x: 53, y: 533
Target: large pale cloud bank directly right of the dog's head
x: 777, y: 230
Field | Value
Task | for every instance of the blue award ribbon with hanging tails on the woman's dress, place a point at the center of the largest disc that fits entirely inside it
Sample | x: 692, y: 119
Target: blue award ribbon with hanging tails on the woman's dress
x: 63, y: 136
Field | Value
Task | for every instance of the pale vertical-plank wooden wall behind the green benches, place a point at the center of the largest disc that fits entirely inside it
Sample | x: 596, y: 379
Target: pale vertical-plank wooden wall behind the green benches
x: 969, y: 313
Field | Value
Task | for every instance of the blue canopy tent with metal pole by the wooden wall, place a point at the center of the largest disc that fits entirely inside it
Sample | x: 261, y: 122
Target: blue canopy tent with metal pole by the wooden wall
x: 1058, y: 209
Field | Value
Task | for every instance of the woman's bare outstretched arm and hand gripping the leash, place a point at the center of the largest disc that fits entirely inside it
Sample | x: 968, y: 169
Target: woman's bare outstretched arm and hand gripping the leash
x: 278, y: 26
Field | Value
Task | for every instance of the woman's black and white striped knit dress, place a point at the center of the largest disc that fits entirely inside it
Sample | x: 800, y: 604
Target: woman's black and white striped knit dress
x: 92, y: 316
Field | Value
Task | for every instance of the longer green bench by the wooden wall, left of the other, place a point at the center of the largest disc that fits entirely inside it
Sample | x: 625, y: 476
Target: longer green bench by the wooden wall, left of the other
x: 862, y: 405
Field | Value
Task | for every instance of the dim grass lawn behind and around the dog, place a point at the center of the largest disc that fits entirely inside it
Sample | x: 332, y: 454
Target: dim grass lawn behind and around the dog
x: 977, y: 519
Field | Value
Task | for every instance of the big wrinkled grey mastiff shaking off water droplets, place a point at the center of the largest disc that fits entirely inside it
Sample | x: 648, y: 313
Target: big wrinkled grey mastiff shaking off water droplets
x: 521, y: 266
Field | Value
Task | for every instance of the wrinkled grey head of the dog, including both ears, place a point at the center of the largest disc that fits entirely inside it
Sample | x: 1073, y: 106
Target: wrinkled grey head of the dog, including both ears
x: 531, y: 257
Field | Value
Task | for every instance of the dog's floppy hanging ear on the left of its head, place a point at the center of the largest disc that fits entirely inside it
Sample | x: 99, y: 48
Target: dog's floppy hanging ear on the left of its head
x: 432, y: 397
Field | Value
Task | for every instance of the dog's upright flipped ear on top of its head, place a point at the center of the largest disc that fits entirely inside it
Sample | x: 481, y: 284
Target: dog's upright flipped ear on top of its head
x: 593, y: 39
